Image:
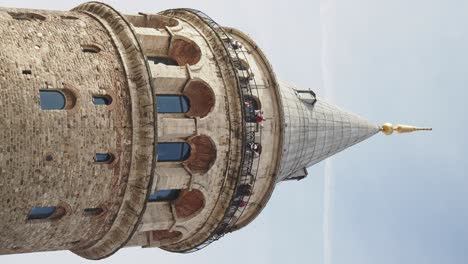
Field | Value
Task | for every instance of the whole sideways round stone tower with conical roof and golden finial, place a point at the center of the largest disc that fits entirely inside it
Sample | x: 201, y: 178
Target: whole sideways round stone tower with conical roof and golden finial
x: 153, y: 130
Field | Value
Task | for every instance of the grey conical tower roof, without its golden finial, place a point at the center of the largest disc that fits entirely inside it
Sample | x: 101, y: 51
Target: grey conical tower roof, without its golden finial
x: 315, y: 130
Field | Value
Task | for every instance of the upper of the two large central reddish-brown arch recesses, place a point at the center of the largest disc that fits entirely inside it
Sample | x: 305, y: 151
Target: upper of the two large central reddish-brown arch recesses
x: 201, y: 97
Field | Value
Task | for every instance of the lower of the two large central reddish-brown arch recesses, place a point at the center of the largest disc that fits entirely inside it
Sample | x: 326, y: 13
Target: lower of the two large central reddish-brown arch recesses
x: 203, y: 154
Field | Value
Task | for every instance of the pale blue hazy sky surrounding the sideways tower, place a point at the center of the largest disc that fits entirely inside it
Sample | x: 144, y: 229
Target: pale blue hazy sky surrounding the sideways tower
x: 400, y: 199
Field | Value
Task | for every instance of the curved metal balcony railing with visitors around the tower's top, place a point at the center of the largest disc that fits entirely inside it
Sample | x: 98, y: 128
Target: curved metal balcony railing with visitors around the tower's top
x: 252, y: 132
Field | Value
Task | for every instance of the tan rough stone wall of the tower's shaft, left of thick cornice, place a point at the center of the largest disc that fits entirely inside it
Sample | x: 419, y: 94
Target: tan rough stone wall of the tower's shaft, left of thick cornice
x: 51, y: 50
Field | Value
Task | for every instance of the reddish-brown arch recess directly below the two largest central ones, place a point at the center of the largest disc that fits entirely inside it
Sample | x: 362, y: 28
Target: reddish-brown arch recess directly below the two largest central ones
x: 189, y: 203
